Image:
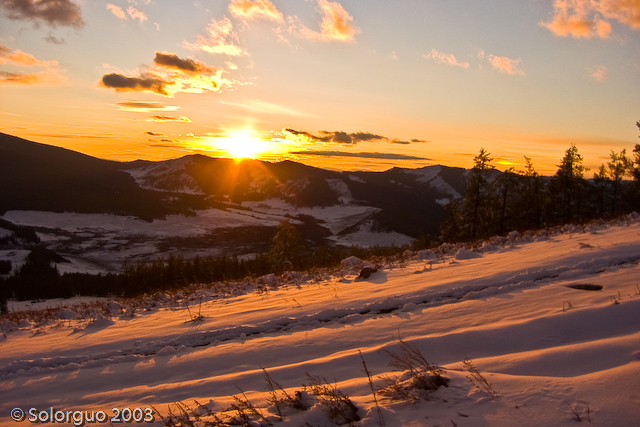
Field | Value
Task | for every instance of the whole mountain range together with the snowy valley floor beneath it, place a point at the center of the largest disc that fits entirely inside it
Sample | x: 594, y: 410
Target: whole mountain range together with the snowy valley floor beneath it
x: 107, y: 211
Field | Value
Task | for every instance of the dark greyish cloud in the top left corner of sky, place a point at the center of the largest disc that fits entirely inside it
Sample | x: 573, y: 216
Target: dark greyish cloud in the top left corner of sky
x: 51, y: 12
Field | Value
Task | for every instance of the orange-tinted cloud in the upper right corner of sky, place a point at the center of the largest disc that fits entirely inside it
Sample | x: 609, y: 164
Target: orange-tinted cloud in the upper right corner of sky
x: 589, y: 18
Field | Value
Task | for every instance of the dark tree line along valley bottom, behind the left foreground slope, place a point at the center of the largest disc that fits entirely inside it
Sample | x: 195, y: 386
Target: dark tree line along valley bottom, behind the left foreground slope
x: 39, y: 278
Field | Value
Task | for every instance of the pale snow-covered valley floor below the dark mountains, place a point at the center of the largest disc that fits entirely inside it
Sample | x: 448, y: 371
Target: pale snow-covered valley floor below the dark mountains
x: 97, y: 243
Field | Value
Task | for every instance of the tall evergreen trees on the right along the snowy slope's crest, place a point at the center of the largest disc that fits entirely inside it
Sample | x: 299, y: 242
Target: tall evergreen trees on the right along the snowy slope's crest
x: 498, y: 202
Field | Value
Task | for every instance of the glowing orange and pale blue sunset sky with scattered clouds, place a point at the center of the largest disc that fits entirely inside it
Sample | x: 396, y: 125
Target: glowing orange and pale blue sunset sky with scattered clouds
x: 347, y: 85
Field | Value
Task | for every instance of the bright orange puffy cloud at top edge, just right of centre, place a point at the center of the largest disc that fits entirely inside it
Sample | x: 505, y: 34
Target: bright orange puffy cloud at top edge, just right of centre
x: 336, y: 24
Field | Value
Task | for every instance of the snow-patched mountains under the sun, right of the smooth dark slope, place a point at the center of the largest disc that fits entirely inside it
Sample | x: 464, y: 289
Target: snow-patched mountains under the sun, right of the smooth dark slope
x: 409, y: 201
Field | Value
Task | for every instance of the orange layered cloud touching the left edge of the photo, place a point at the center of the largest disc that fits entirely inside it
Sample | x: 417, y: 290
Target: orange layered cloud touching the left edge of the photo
x: 49, y: 76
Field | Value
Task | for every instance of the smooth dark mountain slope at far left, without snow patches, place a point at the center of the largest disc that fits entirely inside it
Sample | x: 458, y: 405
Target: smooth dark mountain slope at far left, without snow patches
x: 42, y: 177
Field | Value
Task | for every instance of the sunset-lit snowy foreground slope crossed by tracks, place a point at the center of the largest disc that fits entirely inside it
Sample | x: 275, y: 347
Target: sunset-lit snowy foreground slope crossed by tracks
x: 505, y: 308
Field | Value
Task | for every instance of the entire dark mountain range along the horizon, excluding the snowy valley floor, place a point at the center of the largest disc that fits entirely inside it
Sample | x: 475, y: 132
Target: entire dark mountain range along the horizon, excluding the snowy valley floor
x: 41, y: 177
